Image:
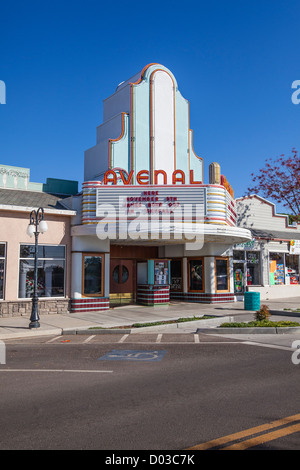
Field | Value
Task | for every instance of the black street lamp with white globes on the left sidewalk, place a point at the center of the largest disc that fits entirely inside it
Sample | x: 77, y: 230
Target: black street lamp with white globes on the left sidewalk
x: 36, y: 226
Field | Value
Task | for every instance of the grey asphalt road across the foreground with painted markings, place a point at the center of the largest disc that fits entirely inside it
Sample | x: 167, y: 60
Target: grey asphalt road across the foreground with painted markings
x: 147, y: 392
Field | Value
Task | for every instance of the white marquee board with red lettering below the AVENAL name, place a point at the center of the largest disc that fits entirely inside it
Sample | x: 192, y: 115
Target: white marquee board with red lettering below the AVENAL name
x: 213, y: 203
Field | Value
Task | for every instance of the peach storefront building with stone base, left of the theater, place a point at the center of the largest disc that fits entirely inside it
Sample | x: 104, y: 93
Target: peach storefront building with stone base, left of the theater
x: 18, y: 197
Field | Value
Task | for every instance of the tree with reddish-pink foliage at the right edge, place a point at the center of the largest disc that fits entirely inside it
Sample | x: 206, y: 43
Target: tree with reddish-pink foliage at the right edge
x: 279, y: 180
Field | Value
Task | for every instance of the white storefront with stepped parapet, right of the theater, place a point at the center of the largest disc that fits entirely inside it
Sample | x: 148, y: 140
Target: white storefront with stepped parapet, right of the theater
x: 269, y: 263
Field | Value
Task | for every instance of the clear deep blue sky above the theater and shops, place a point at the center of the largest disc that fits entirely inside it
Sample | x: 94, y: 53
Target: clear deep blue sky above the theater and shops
x: 234, y: 61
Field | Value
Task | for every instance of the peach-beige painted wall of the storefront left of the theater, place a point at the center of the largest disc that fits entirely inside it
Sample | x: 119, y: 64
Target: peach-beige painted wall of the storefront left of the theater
x: 13, y: 226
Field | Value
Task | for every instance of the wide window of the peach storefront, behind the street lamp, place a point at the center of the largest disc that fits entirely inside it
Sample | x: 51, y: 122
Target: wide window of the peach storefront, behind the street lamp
x: 51, y: 271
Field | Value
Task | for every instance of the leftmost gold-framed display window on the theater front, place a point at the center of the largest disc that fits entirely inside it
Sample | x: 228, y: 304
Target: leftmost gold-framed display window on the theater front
x: 92, y: 275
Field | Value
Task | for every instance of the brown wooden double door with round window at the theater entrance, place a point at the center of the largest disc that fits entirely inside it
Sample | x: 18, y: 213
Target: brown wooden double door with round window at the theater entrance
x: 122, y: 281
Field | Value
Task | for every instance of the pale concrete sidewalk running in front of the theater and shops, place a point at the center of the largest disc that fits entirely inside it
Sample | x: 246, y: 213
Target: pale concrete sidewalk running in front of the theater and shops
x: 18, y: 327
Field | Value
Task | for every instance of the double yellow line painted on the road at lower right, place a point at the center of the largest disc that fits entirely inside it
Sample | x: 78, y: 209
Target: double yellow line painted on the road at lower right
x: 292, y: 428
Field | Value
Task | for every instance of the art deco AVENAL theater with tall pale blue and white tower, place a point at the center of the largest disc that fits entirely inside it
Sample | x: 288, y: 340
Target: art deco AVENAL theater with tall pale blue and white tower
x: 149, y: 228
